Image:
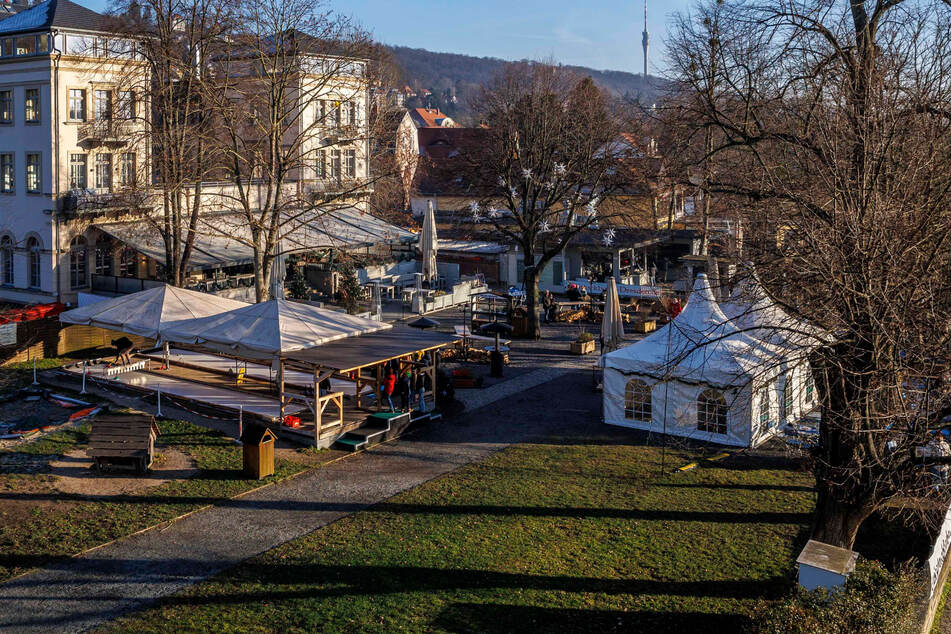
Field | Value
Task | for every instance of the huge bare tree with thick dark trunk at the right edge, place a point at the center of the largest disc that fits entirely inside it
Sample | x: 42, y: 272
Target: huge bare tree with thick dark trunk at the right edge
x: 830, y: 125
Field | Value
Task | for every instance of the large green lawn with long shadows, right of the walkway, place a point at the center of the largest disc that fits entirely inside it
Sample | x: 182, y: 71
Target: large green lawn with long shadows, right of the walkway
x: 540, y: 537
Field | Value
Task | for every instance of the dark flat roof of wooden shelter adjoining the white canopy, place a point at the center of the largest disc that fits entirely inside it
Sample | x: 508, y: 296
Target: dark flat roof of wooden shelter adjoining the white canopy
x: 346, y: 355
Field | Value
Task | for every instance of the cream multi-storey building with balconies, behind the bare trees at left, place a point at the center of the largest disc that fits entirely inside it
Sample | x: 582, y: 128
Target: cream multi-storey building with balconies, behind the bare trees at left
x: 73, y: 142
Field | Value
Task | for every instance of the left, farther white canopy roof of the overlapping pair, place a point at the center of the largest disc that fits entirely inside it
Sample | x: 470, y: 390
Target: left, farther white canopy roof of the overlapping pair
x: 147, y: 312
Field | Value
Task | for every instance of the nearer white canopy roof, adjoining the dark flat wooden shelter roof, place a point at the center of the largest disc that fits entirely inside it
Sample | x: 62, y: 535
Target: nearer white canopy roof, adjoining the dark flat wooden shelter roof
x: 270, y: 329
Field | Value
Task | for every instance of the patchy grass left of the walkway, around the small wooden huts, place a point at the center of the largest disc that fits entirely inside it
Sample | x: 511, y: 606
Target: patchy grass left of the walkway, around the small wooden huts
x: 39, y: 524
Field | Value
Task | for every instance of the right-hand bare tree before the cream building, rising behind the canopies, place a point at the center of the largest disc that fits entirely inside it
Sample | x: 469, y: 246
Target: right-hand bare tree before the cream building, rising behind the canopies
x: 290, y: 97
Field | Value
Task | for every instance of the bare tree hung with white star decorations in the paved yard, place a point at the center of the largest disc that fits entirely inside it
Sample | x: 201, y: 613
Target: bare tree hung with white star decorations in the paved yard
x: 550, y: 152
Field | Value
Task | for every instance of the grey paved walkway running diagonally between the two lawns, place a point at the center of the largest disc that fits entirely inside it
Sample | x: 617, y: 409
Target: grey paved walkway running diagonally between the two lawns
x: 81, y: 593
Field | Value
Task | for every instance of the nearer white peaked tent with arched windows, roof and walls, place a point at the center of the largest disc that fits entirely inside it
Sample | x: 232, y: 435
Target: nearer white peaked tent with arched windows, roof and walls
x: 697, y: 377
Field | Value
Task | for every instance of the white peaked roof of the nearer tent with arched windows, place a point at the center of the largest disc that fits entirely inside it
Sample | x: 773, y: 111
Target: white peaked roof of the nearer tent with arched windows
x: 700, y: 345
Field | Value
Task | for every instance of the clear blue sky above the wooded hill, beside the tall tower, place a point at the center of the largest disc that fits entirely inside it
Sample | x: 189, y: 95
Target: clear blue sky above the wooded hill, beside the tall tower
x: 602, y: 34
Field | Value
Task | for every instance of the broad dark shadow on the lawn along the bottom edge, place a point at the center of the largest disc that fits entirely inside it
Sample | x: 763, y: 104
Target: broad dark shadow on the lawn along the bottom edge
x: 475, y: 617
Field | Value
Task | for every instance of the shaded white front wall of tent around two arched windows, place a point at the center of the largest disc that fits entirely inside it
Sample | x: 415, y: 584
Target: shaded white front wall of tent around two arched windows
x: 677, y: 402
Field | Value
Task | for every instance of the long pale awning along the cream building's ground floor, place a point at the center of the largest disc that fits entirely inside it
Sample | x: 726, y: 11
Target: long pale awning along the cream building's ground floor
x: 224, y: 239
